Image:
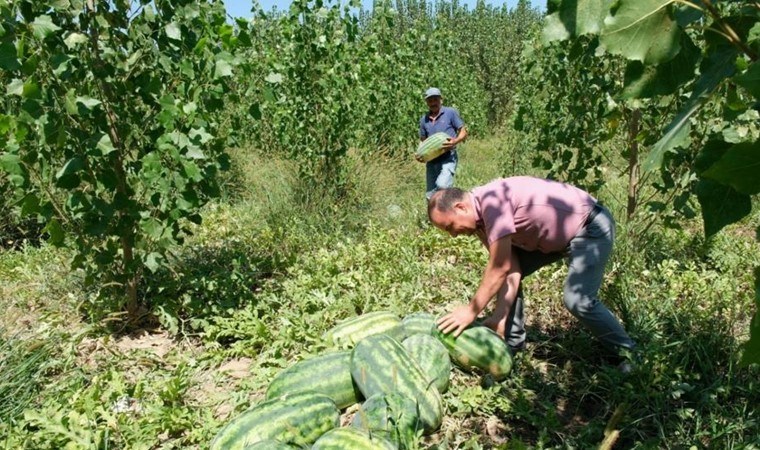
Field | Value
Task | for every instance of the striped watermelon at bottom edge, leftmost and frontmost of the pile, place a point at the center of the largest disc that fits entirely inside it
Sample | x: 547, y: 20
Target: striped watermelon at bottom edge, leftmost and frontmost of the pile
x: 294, y: 419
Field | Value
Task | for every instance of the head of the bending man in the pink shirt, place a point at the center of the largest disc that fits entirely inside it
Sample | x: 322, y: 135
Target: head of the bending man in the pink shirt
x: 451, y: 210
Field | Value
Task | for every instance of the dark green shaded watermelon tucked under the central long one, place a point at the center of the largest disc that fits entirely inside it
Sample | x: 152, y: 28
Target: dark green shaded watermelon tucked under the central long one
x: 391, y: 416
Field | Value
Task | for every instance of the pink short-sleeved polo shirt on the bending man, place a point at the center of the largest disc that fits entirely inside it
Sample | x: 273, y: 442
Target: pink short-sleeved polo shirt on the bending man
x: 540, y: 214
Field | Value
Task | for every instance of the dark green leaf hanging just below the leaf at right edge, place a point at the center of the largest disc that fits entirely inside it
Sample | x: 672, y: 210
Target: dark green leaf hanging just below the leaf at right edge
x: 721, y: 205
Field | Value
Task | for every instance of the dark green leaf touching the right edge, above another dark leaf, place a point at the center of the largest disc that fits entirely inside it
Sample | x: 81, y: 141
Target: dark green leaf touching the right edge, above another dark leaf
x: 739, y: 168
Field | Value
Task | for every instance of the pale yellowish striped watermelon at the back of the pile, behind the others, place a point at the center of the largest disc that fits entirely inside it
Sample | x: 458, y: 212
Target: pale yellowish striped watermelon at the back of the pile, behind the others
x: 349, y: 332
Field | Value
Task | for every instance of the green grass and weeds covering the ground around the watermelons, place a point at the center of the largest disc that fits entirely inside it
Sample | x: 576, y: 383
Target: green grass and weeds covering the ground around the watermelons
x: 263, y: 278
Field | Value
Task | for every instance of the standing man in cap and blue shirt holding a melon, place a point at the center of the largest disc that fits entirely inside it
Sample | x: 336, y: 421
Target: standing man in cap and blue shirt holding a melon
x: 440, y: 171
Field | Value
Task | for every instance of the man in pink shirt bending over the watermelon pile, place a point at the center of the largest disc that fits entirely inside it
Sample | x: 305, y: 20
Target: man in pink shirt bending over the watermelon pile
x: 527, y: 223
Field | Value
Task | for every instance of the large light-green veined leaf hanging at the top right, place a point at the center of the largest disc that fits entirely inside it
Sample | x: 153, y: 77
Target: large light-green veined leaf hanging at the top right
x: 642, y: 30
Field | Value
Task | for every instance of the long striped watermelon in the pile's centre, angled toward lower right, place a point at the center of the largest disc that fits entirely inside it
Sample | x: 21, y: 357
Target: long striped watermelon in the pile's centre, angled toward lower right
x: 380, y: 365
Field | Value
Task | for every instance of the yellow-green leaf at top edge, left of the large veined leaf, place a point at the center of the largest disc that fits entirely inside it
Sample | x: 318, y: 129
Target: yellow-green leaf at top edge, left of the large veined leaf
x: 575, y: 18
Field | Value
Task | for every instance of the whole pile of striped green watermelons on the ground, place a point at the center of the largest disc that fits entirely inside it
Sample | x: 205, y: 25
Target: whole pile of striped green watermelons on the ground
x: 398, y: 368
